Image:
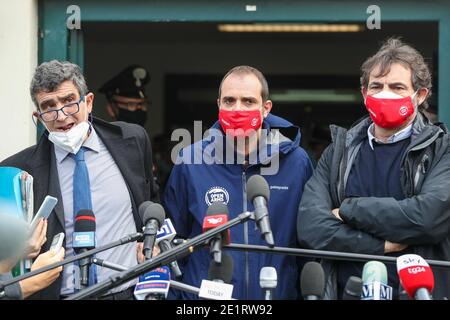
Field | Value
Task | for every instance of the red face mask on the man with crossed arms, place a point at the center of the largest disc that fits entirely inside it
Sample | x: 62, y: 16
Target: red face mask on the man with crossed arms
x: 389, y: 110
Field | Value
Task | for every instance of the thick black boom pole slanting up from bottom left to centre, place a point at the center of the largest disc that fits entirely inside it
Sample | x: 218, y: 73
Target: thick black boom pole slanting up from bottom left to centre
x: 162, y: 259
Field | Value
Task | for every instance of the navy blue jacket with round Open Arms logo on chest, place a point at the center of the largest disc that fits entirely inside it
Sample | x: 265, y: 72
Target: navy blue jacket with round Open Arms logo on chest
x: 191, y: 188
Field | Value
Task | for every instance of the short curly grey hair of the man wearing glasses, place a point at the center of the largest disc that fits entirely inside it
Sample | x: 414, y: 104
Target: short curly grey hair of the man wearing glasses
x: 48, y: 76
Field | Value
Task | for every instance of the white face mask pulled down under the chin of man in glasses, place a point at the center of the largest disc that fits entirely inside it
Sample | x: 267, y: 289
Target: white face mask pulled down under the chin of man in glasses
x: 72, y: 140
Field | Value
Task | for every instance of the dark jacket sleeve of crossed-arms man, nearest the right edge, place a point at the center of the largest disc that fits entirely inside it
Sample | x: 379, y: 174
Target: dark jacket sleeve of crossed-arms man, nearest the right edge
x: 421, y: 219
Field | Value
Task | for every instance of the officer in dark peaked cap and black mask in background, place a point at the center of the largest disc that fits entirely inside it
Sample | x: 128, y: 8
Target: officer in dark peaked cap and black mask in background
x: 125, y: 93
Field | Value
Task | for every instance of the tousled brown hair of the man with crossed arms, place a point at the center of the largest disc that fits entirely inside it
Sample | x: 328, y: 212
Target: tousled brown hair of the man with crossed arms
x: 392, y: 51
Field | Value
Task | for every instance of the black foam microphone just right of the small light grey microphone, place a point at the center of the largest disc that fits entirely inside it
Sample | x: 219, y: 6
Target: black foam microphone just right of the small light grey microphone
x: 312, y: 281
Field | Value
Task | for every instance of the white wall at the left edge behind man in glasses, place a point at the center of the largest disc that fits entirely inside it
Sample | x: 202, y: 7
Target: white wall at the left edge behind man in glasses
x: 18, y: 59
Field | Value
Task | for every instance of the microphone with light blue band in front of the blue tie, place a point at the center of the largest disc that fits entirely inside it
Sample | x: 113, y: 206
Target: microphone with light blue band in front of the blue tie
x: 84, y: 240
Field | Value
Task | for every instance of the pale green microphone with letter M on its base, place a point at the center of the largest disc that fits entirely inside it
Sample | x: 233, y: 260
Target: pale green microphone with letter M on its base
x: 374, y: 279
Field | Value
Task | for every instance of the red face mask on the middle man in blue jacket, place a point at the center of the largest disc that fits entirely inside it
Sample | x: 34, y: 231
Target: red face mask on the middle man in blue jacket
x: 240, y: 123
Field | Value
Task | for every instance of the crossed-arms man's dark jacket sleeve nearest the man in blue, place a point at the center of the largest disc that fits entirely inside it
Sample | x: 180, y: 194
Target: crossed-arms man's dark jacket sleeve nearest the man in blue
x: 317, y: 228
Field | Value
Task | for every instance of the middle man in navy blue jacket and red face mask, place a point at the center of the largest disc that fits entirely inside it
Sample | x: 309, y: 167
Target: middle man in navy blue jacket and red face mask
x: 270, y: 147
